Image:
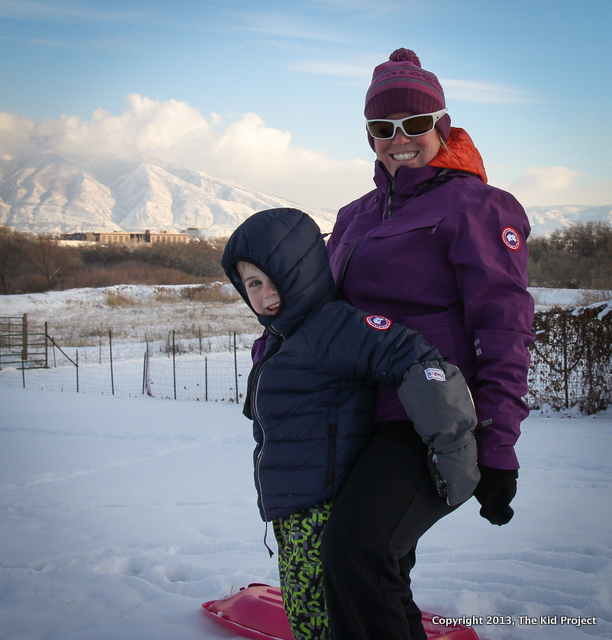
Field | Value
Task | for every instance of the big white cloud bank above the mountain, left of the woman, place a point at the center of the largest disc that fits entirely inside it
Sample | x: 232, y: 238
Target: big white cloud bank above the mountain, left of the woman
x: 242, y: 149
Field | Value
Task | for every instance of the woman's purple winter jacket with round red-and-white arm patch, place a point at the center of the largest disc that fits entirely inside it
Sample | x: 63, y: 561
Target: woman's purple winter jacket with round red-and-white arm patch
x: 445, y: 254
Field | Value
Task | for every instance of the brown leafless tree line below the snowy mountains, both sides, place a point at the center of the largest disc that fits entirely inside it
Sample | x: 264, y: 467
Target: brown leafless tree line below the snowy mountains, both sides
x: 576, y: 257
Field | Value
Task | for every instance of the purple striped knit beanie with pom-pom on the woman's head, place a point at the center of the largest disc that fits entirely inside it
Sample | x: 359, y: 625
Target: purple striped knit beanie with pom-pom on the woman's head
x: 400, y: 85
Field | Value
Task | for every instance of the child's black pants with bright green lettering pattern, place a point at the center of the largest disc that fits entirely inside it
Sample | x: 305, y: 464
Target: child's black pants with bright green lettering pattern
x: 301, y: 574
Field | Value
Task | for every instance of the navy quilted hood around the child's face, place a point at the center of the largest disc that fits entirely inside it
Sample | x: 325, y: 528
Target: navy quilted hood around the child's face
x: 287, y: 245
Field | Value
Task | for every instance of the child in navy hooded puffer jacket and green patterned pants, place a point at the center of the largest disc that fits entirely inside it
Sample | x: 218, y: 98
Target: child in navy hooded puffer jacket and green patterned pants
x: 311, y: 396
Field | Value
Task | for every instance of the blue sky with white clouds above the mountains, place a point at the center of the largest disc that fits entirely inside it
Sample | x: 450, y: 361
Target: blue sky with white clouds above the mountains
x: 270, y: 94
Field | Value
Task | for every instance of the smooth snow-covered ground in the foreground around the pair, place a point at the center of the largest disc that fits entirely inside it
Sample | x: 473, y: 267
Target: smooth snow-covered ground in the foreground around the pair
x: 120, y: 516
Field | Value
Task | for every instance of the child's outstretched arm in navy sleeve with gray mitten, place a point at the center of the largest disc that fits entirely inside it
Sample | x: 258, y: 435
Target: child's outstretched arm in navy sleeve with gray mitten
x: 350, y: 343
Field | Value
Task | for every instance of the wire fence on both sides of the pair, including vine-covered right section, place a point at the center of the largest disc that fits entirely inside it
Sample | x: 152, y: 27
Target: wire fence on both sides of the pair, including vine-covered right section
x: 571, y: 364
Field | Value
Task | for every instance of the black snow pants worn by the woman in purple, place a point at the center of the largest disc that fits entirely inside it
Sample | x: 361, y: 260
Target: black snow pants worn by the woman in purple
x: 369, y: 544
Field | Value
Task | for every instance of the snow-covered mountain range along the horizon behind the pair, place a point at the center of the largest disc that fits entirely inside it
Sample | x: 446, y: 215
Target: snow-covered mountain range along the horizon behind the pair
x: 51, y: 193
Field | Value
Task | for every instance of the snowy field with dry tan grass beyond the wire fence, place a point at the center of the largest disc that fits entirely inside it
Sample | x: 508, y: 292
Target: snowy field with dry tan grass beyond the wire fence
x: 137, y: 313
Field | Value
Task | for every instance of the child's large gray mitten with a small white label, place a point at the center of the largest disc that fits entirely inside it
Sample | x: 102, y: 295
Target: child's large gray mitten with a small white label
x: 438, y: 401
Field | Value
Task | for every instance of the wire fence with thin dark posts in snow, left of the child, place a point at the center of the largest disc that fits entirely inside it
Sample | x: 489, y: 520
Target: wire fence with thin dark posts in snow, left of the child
x: 214, y: 368
